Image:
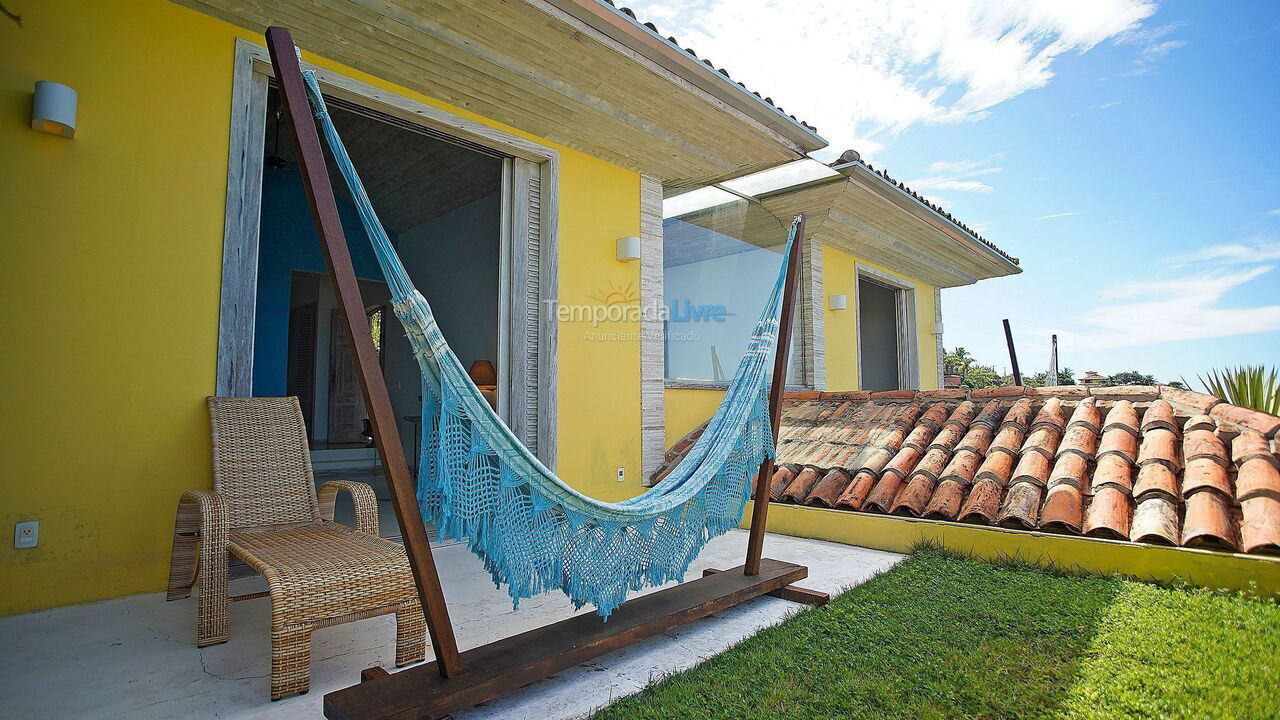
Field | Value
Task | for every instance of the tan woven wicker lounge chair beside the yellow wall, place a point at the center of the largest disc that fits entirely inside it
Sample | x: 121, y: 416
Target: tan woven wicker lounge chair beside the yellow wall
x: 266, y: 511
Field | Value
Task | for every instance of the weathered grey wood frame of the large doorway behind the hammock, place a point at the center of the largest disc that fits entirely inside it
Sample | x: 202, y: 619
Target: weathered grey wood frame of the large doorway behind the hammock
x: 529, y: 277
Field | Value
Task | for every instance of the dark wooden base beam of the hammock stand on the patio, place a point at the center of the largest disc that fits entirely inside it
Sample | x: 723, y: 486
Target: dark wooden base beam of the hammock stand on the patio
x: 506, y: 666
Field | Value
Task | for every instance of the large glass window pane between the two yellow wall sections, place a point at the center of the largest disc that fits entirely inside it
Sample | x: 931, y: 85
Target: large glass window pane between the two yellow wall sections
x: 721, y: 257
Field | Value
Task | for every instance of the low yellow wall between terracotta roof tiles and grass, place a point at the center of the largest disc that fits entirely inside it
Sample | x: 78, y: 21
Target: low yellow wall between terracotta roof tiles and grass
x: 1212, y: 569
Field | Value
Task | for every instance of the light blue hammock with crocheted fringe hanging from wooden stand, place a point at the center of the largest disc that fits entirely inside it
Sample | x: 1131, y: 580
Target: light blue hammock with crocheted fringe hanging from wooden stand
x: 536, y: 534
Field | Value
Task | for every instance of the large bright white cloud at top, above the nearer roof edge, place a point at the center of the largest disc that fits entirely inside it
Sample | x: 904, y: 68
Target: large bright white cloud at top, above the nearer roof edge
x: 865, y: 72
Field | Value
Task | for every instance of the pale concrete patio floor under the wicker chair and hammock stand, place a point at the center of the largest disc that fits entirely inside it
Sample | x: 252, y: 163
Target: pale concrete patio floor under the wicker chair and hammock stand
x: 136, y: 657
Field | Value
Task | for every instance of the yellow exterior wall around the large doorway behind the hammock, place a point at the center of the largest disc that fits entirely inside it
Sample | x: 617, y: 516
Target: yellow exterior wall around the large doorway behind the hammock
x: 112, y: 263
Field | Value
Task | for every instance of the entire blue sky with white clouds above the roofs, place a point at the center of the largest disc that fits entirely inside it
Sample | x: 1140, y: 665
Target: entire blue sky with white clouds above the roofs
x: 1127, y: 152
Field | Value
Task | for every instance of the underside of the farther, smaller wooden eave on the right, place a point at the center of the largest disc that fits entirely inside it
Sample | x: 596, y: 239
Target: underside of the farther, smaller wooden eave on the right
x: 863, y: 215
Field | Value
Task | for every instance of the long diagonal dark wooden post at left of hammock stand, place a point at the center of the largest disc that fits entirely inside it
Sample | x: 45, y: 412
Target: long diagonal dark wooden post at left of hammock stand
x: 324, y: 212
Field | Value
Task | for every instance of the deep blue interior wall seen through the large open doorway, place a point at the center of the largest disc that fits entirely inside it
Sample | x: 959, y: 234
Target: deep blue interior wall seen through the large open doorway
x: 287, y: 243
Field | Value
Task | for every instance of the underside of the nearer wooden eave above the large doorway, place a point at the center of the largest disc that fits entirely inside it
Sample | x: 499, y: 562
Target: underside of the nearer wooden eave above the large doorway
x: 545, y: 71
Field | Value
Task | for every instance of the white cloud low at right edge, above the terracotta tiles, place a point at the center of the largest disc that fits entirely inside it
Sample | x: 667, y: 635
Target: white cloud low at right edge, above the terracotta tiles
x: 1171, y: 311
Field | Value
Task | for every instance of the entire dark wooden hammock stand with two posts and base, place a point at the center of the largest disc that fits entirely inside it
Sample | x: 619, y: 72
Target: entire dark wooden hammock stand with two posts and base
x: 459, y: 681
